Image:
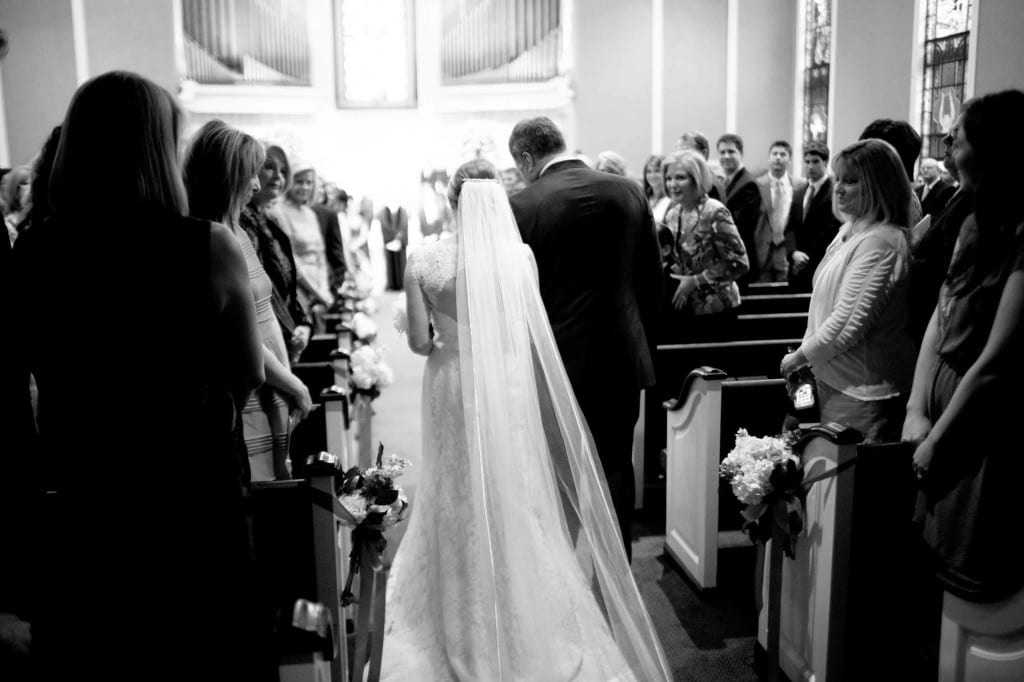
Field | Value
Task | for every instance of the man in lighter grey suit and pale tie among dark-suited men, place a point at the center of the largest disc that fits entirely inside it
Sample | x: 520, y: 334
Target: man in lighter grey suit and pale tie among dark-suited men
x: 778, y: 191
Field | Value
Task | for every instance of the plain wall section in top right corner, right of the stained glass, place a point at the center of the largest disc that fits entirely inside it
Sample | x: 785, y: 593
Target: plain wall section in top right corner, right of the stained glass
x: 1000, y: 62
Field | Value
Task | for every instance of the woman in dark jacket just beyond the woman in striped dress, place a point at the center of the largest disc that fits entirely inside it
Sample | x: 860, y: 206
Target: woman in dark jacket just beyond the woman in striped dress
x: 275, y: 250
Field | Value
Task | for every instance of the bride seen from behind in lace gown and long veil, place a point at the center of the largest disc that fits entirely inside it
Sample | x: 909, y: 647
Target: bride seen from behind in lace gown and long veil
x: 513, y: 567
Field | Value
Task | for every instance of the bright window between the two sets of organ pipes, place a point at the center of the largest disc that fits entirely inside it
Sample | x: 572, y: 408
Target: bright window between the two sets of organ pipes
x: 375, y: 49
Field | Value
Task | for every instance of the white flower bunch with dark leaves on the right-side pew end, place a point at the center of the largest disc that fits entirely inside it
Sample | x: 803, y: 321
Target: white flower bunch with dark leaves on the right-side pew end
x: 767, y: 478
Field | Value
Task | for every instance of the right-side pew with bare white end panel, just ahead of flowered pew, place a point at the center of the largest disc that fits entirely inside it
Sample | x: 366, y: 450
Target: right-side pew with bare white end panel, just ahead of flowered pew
x: 702, y: 514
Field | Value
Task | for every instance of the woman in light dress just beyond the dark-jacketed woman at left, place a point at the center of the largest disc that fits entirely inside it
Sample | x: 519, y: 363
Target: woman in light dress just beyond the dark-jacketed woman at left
x: 303, y: 228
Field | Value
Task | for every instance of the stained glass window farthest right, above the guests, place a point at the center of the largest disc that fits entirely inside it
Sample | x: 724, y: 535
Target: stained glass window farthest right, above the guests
x: 947, y: 33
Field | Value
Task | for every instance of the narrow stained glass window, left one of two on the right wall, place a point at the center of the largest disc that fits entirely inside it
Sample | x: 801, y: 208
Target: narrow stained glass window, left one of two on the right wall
x: 818, y: 63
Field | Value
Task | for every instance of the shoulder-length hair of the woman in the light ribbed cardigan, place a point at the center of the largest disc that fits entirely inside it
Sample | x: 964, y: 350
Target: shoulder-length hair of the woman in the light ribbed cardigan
x: 885, y: 190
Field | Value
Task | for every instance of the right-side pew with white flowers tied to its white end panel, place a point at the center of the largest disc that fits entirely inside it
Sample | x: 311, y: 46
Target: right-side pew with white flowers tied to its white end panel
x: 848, y: 598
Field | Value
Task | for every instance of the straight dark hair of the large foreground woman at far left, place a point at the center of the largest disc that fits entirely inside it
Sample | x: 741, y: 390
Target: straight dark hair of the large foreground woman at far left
x: 119, y: 140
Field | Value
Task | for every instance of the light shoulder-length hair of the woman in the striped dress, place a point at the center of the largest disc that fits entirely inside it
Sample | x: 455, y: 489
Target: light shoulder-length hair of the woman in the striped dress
x: 220, y: 166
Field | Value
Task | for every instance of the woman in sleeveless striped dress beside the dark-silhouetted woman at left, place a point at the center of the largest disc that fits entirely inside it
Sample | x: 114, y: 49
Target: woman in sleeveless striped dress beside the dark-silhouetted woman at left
x: 222, y: 167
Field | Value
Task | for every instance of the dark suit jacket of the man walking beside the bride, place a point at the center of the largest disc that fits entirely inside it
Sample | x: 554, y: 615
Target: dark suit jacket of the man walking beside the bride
x: 601, y: 273
